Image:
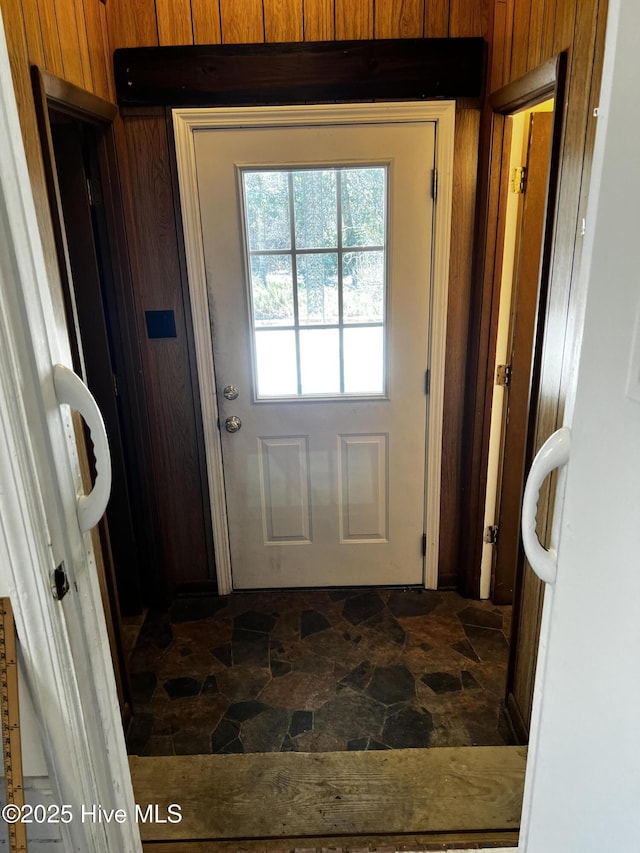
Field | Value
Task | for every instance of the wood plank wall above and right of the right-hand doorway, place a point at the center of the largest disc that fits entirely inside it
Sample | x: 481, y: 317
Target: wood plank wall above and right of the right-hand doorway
x: 524, y: 34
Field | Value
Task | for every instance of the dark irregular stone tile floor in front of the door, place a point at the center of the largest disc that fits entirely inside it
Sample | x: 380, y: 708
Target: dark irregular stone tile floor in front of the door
x: 319, y: 671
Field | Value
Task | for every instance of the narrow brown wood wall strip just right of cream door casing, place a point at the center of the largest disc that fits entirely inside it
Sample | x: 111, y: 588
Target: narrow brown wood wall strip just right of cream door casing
x: 460, y: 270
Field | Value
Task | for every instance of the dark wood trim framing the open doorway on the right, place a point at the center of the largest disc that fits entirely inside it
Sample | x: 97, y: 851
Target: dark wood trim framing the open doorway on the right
x: 483, y: 330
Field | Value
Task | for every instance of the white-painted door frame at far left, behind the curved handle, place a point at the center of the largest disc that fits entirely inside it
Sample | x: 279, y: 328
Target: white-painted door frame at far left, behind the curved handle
x: 64, y: 644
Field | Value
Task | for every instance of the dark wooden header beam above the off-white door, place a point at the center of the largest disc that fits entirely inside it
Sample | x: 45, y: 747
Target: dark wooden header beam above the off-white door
x: 300, y: 71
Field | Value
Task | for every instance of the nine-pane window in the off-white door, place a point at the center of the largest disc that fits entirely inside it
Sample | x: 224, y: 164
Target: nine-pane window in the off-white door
x: 316, y: 261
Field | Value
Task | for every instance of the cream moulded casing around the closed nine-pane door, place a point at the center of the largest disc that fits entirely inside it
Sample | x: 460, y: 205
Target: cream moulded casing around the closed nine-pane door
x: 186, y: 123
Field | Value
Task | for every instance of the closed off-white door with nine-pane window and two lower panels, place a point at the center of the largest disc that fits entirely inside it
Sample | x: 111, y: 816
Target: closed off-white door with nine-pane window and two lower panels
x: 317, y: 245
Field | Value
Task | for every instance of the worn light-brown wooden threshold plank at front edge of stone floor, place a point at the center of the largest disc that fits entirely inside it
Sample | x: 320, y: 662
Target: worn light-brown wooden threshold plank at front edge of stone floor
x: 296, y: 795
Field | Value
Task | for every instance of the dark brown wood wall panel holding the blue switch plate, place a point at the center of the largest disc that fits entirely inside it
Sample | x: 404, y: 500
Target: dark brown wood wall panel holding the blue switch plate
x: 151, y: 226
